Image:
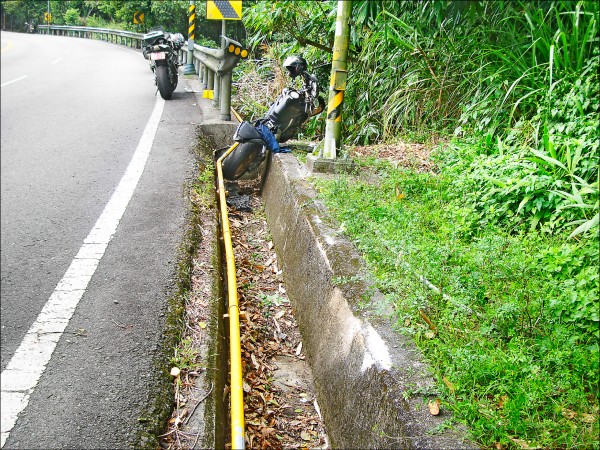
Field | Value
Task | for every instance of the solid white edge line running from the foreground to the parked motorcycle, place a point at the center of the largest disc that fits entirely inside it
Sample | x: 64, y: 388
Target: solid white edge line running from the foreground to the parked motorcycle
x: 27, y: 365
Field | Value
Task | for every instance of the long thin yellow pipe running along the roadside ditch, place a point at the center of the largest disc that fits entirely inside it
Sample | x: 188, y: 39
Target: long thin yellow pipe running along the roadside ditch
x: 235, y: 351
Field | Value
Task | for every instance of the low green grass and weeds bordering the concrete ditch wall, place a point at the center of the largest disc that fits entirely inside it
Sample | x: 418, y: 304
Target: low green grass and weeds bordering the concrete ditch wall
x: 517, y: 315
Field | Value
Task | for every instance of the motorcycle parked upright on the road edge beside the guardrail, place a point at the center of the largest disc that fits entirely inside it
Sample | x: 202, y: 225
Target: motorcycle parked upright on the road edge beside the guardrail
x: 161, y: 49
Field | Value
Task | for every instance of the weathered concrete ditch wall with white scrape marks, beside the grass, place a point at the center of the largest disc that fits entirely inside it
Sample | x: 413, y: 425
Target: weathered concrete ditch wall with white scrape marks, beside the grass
x: 367, y: 376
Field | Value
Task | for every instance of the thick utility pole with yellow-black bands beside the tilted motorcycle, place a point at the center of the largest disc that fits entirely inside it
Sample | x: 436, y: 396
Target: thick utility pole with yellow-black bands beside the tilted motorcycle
x: 339, y: 74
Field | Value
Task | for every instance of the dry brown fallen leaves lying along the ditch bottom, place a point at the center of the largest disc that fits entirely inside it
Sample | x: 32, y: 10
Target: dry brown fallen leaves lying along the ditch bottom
x: 277, y: 415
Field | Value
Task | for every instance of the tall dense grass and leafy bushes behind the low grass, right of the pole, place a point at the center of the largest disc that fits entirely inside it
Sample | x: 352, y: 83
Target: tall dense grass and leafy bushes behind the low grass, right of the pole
x: 519, y: 80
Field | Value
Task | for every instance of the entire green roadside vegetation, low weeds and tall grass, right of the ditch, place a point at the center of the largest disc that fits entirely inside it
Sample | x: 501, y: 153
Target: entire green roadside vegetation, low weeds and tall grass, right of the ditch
x: 497, y: 244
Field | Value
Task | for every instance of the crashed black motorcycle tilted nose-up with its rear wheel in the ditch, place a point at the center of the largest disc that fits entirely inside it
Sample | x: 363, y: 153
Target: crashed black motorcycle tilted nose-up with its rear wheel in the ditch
x: 282, y: 121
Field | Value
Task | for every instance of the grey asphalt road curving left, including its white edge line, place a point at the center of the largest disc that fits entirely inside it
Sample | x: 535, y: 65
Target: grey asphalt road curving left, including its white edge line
x: 74, y: 114
